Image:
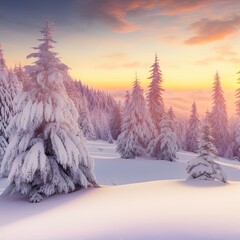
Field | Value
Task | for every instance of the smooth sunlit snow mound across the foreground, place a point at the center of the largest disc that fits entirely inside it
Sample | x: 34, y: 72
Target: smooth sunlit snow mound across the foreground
x: 153, y: 210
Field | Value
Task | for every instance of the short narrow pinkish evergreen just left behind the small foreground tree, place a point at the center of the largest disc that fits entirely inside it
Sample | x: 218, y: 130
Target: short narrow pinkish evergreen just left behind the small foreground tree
x: 192, y: 134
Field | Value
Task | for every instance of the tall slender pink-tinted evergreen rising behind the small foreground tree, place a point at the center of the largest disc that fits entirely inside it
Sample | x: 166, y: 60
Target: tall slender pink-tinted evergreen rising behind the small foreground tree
x: 219, y: 120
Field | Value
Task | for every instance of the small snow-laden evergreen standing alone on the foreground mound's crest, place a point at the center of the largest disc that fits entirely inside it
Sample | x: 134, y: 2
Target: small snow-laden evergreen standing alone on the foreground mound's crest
x: 204, y: 167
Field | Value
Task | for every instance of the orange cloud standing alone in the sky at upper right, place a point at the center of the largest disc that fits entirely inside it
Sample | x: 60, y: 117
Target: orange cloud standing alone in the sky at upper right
x: 213, y: 30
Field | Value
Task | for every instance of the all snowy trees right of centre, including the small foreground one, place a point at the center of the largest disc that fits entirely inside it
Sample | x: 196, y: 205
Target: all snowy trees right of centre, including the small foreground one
x: 149, y: 130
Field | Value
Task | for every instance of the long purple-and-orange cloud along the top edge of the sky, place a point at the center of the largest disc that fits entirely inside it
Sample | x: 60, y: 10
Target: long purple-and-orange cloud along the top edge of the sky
x: 115, y: 13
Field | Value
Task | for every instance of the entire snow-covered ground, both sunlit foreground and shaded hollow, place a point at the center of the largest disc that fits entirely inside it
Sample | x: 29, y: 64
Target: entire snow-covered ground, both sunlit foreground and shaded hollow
x: 140, y: 199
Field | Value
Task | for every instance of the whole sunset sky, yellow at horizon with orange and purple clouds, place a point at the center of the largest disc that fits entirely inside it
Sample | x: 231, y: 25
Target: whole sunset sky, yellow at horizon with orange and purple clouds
x: 105, y: 42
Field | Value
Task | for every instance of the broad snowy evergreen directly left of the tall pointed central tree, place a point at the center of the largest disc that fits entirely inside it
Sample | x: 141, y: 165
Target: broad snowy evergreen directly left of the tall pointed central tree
x: 137, y: 128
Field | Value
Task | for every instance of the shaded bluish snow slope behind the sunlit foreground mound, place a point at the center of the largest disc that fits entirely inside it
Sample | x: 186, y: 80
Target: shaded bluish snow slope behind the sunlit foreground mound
x: 110, y: 169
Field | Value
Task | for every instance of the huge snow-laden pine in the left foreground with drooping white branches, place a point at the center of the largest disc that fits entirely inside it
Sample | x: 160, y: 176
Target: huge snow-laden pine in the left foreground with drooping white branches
x: 47, y: 153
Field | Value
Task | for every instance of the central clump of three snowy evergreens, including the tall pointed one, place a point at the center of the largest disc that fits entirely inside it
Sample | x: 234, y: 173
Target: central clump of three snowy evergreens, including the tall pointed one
x: 147, y: 129
